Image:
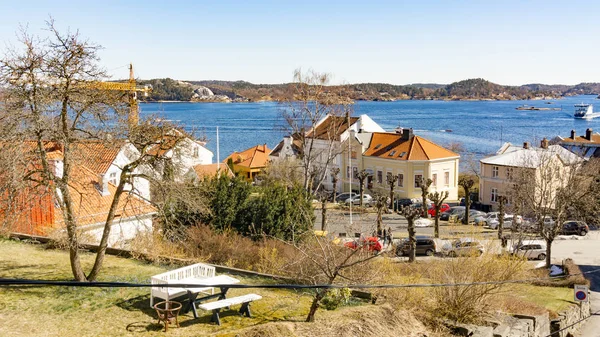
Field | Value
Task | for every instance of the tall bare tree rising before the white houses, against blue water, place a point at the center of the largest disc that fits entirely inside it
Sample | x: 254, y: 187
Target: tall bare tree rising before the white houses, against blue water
x: 311, y: 102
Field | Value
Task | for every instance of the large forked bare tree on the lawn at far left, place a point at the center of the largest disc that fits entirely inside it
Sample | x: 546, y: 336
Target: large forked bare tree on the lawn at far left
x: 47, y: 90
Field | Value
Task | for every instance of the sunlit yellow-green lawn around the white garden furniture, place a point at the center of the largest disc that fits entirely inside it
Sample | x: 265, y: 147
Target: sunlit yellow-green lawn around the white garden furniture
x: 62, y: 311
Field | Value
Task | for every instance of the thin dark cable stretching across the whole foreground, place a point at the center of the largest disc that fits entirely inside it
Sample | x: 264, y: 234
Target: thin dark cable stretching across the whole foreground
x: 25, y: 282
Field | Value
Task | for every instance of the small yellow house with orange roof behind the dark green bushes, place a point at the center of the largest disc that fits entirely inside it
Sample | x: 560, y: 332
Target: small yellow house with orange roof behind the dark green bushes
x: 249, y: 163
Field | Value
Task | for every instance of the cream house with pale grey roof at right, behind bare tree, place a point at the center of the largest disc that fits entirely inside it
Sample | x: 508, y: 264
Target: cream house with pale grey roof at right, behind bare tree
x: 497, y: 172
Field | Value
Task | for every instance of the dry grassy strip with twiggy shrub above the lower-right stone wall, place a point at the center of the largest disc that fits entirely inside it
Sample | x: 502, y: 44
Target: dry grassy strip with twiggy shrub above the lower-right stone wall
x: 471, y: 303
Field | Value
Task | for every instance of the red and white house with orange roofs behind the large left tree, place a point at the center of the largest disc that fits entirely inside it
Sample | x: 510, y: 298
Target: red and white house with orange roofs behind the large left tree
x: 37, y: 211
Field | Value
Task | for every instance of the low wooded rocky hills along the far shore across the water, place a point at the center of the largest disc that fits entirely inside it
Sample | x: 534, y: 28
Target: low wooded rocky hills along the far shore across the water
x: 467, y: 90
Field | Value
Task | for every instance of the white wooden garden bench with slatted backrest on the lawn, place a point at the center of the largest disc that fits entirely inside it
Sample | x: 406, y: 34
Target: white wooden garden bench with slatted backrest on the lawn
x: 183, y: 275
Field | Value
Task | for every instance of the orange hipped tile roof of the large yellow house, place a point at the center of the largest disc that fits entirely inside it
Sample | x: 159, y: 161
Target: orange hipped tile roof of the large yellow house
x: 391, y: 146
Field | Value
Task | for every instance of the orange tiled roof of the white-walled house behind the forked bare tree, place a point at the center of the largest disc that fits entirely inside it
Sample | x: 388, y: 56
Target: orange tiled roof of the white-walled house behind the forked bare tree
x: 91, y: 207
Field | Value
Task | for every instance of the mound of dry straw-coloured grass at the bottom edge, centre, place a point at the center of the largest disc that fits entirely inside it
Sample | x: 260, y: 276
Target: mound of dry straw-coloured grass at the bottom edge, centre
x: 369, y: 320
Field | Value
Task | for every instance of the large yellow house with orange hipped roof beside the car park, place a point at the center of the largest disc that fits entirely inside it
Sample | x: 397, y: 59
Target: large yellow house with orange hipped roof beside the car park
x: 405, y: 155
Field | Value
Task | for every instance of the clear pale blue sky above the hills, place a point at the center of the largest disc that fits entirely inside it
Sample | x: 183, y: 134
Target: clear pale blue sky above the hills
x: 399, y: 42
